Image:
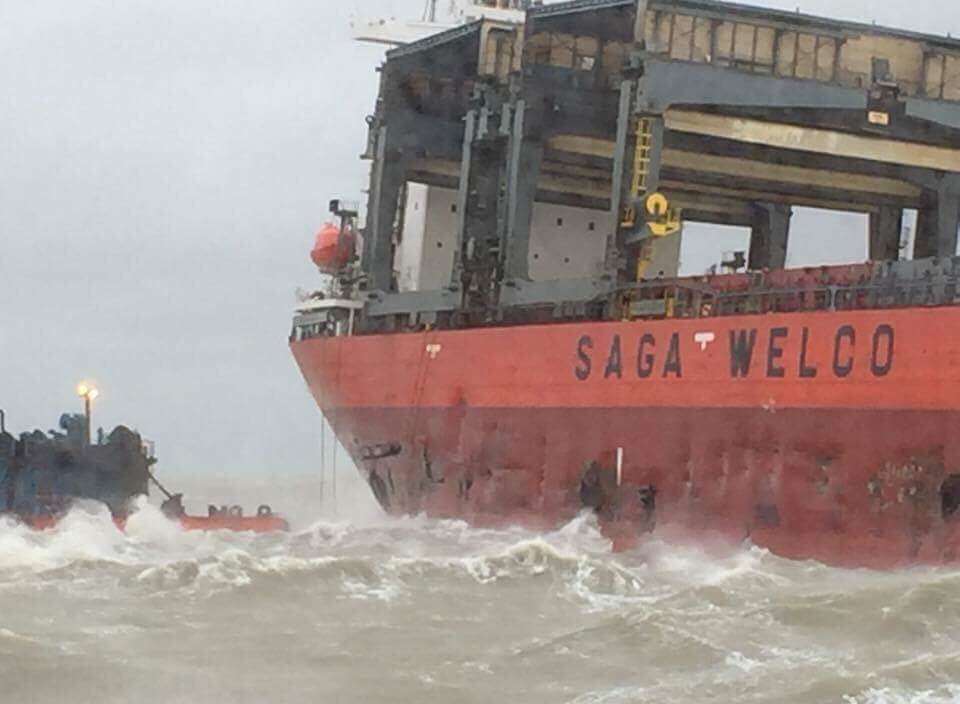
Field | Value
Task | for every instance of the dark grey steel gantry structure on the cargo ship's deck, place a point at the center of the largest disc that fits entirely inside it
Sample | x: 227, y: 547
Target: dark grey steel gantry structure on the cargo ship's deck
x: 728, y: 142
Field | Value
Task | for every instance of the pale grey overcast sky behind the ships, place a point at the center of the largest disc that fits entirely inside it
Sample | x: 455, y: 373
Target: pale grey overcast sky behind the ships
x: 163, y: 164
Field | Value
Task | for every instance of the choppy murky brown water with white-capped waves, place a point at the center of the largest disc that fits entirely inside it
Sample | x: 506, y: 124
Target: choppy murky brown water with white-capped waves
x: 366, y: 609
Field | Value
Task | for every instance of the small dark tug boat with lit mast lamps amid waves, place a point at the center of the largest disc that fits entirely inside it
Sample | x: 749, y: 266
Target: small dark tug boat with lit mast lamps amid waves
x: 43, y: 474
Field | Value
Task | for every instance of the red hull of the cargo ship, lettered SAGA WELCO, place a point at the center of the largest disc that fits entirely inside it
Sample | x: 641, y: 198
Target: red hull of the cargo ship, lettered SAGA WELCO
x: 828, y: 436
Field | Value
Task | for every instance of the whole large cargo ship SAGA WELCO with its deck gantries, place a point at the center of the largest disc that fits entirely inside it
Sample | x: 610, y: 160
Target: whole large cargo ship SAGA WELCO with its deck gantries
x: 508, y: 339
